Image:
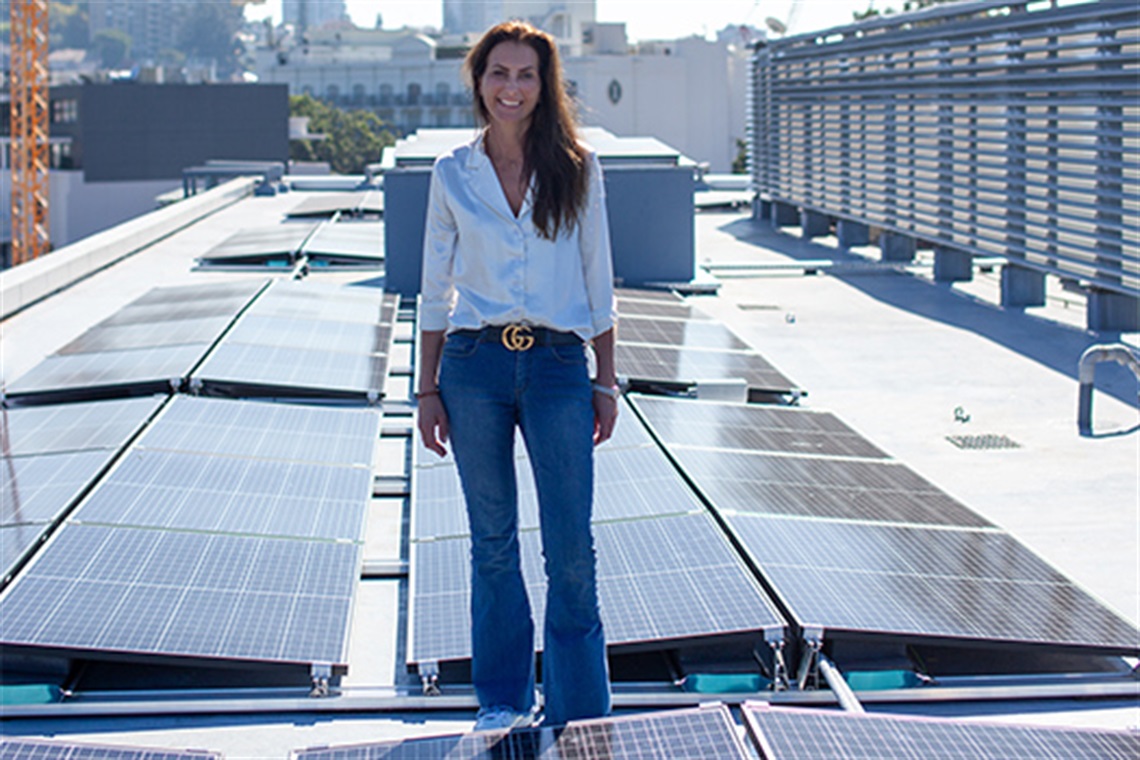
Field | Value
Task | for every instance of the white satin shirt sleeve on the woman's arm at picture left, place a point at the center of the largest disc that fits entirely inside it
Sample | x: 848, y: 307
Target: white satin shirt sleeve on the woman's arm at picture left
x: 437, y: 287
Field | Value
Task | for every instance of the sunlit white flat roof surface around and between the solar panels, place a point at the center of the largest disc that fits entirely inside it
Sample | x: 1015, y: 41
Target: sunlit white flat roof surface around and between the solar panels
x: 890, y: 353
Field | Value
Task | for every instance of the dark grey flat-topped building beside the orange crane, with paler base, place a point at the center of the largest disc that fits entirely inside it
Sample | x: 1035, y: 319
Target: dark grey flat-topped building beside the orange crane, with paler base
x: 117, y: 148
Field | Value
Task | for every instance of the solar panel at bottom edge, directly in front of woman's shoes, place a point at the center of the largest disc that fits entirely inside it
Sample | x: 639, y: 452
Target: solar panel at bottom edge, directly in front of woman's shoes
x: 690, y: 734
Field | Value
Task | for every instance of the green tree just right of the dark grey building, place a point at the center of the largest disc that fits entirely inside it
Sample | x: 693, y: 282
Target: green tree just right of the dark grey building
x: 354, y: 138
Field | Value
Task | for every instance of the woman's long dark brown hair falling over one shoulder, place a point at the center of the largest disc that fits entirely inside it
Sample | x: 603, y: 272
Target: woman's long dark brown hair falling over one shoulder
x: 551, y: 151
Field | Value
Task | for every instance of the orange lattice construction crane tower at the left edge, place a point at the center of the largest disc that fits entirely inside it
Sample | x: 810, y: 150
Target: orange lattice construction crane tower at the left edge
x: 29, y: 88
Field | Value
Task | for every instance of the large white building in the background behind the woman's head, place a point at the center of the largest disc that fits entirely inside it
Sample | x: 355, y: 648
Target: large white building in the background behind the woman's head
x: 689, y: 94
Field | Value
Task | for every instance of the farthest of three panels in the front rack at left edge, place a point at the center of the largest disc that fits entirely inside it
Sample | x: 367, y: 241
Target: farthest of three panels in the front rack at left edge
x: 54, y: 429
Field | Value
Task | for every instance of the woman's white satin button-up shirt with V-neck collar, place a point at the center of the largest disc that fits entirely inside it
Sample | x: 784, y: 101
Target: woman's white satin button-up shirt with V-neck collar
x: 484, y: 266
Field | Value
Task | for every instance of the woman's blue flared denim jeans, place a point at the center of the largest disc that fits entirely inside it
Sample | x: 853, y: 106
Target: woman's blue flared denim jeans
x: 490, y: 391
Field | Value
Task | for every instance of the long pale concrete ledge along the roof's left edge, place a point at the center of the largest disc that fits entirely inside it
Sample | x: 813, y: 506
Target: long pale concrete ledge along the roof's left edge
x: 25, y: 285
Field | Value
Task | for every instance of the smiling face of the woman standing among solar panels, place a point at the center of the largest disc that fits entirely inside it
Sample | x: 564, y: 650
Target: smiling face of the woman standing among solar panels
x: 511, y: 86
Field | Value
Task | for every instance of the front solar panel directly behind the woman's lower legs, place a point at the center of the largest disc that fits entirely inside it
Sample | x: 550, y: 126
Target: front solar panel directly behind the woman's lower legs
x: 656, y: 579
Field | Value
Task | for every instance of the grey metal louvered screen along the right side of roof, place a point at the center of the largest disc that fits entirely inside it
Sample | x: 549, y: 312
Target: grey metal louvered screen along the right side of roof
x: 986, y: 128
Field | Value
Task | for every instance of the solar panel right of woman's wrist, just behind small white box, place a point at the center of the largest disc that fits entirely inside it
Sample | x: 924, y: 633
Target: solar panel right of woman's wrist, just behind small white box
x: 649, y: 364
